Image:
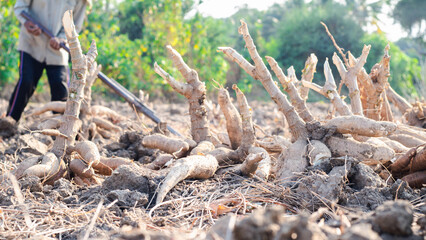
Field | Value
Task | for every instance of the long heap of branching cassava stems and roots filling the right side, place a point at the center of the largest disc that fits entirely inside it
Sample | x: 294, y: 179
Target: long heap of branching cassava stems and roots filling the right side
x: 365, y: 129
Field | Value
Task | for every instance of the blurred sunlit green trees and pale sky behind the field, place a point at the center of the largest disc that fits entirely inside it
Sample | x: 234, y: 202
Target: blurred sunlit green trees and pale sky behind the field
x: 132, y: 35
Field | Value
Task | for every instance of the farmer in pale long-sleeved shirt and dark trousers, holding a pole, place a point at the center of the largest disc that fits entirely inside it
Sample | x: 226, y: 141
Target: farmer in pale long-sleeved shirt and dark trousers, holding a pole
x: 38, y: 52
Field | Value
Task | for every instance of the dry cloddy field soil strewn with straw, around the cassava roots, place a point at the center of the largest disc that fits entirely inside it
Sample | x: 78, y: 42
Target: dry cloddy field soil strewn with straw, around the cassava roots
x: 337, y: 198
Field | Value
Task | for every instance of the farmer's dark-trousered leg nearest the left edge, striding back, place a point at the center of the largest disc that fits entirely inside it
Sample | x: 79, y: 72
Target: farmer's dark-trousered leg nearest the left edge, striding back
x: 30, y: 71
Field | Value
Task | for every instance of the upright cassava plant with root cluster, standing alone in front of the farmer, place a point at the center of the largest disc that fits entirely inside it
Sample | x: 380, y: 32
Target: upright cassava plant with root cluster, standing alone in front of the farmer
x: 72, y: 152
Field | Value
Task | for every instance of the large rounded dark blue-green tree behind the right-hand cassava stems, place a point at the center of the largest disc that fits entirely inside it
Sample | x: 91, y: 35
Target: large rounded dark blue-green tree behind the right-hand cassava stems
x: 302, y: 34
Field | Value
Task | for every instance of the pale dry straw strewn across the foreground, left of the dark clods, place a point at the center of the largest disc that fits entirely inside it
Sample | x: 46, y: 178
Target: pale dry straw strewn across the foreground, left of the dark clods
x: 191, y: 207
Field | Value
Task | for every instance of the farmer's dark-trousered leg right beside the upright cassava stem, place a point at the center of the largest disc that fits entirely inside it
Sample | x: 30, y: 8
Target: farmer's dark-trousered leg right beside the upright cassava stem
x: 57, y: 76
